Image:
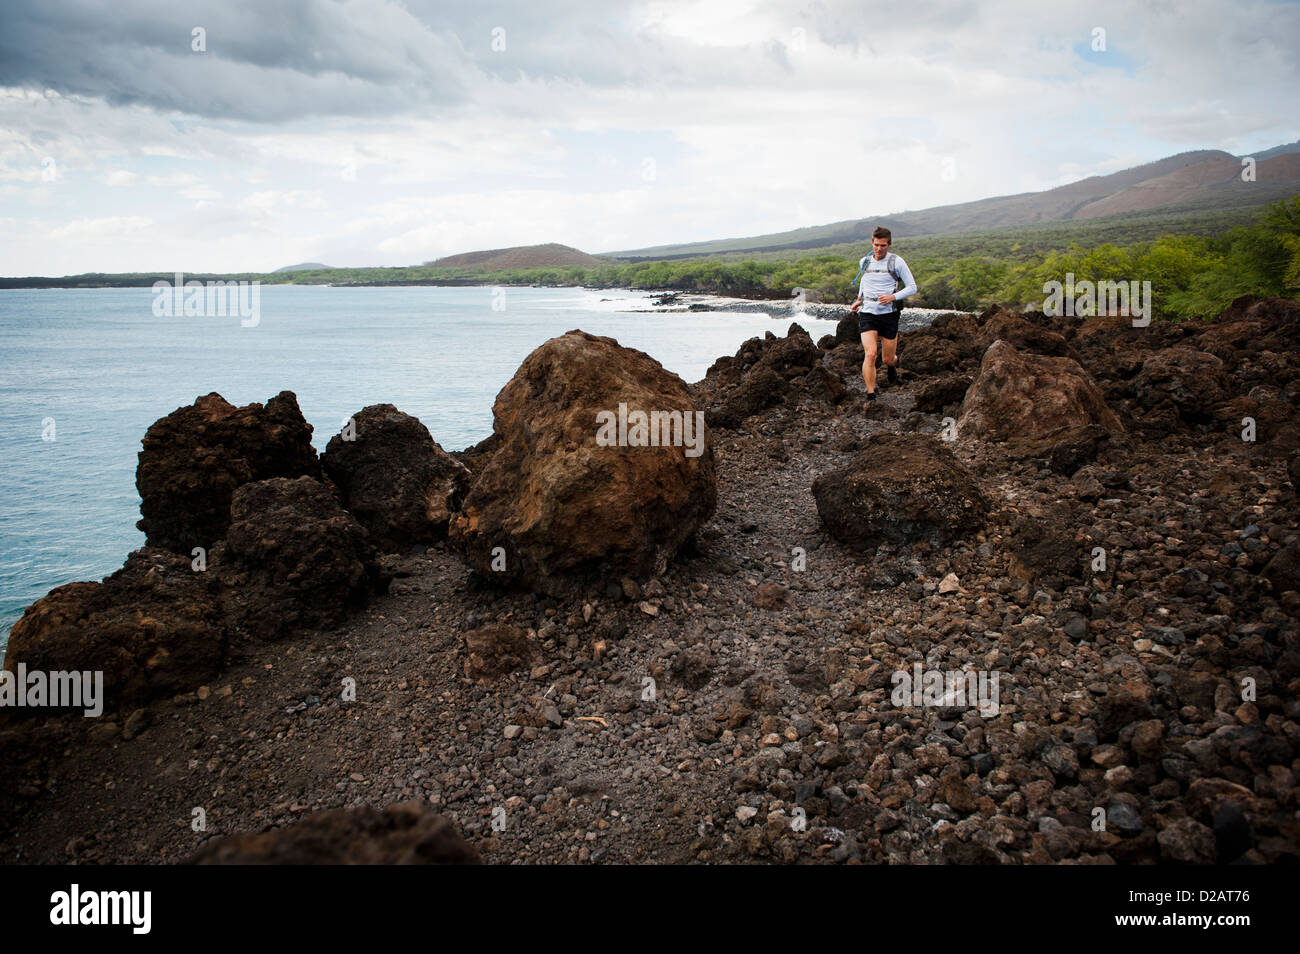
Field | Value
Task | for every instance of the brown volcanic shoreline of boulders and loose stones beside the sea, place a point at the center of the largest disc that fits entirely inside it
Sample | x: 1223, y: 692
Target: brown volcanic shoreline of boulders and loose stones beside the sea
x: 543, y: 651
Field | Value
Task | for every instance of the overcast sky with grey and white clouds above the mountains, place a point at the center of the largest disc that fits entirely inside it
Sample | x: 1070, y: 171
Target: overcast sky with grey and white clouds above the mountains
x: 378, y: 133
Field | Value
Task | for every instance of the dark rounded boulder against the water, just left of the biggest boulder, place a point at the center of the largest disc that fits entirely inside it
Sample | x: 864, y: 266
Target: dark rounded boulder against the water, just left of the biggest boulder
x: 396, y: 479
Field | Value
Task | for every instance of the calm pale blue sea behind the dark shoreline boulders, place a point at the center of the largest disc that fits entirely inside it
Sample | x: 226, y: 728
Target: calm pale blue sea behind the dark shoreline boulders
x: 94, y: 368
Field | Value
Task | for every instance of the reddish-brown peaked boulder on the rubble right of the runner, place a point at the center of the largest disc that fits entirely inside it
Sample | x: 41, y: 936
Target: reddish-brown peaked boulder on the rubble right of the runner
x: 1019, y: 394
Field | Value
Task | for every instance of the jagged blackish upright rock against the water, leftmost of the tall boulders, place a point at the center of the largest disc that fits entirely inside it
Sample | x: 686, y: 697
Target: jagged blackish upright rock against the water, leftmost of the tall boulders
x: 196, y: 458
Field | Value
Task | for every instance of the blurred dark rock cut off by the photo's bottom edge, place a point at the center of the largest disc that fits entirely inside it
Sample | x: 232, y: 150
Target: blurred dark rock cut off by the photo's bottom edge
x: 405, y: 834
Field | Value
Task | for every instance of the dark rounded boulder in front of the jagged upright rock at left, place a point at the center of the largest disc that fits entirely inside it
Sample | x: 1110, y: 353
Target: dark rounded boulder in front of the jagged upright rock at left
x: 294, y: 560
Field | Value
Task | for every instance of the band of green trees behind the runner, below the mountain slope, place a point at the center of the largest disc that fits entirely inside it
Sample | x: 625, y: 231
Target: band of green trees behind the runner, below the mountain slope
x: 1190, y: 276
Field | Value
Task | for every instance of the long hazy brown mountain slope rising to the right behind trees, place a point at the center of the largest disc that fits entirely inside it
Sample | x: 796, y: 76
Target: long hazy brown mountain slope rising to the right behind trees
x: 1203, y: 180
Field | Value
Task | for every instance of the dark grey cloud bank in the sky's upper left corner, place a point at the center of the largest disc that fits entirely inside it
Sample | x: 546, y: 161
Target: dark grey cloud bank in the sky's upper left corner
x: 263, y: 63
